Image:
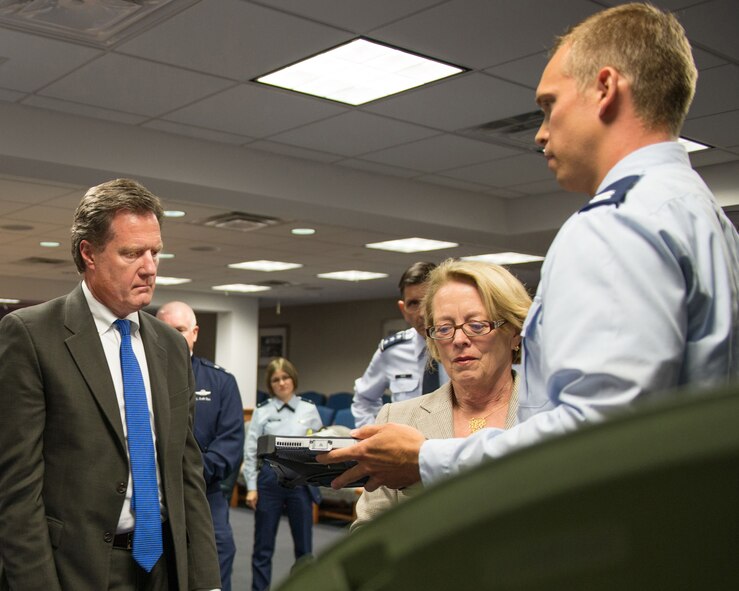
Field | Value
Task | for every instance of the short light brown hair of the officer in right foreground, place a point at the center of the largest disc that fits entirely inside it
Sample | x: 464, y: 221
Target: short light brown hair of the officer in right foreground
x: 647, y: 46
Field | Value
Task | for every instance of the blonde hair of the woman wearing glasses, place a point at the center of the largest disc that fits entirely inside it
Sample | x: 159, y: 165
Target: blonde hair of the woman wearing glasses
x: 504, y: 296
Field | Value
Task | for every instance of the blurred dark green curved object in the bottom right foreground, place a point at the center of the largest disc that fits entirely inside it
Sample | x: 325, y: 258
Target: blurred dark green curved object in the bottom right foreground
x: 643, y: 502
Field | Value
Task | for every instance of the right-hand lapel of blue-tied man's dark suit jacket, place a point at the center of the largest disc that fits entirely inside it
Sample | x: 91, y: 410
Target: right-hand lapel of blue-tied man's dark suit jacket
x: 156, y: 360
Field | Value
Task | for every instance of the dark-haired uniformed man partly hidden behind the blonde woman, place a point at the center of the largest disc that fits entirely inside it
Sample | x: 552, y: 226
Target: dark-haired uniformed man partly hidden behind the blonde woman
x: 400, y: 363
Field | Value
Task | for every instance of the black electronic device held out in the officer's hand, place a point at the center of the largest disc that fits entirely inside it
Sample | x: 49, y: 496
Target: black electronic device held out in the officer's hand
x: 293, y: 458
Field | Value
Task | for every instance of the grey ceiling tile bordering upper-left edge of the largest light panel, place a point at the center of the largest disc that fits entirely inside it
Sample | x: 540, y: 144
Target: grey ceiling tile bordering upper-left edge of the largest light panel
x: 251, y: 40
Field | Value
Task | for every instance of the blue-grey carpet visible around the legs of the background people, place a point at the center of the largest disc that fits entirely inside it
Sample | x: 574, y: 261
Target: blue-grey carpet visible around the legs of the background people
x: 242, y: 522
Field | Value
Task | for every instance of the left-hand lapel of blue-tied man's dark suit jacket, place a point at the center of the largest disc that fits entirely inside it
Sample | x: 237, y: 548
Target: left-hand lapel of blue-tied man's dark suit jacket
x: 87, y: 352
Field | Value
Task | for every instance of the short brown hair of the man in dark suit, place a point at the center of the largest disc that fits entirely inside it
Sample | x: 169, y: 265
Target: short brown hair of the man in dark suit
x: 99, y: 206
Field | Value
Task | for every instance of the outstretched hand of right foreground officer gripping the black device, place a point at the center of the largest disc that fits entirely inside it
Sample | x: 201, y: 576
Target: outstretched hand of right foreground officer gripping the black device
x: 388, y: 454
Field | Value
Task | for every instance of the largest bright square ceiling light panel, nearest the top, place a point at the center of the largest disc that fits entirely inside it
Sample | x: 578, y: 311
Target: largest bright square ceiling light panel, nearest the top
x: 359, y: 72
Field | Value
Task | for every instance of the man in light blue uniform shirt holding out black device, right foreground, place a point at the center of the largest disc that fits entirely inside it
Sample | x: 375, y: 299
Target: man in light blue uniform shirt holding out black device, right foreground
x: 640, y: 289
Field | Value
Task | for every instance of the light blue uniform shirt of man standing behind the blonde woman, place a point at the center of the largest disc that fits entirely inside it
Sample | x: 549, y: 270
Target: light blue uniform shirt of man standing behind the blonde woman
x: 398, y: 365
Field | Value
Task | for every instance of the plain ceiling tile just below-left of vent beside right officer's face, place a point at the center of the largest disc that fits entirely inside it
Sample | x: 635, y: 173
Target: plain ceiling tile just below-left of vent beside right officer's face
x: 440, y: 152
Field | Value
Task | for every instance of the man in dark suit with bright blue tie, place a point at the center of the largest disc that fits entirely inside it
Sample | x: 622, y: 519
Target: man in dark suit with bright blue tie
x: 70, y: 514
